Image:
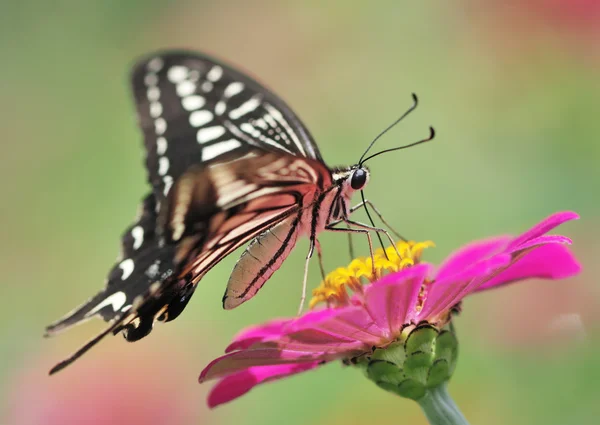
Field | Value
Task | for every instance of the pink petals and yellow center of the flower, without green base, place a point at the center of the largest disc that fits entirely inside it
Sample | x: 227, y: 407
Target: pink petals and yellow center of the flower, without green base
x: 385, y: 311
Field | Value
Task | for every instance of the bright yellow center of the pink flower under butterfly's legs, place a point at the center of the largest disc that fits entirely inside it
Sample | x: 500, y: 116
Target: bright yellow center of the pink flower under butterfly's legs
x: 334, y: 290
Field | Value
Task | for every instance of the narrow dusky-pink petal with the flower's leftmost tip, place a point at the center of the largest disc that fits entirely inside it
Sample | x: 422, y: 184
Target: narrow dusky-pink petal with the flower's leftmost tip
x: 240, y: 360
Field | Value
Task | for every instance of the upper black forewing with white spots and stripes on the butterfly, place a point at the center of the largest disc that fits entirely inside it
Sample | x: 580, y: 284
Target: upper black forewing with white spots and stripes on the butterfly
x: 194, y: 110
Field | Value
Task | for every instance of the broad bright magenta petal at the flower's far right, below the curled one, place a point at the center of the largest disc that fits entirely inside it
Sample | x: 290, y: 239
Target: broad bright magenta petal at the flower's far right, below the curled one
x: 545, y: 262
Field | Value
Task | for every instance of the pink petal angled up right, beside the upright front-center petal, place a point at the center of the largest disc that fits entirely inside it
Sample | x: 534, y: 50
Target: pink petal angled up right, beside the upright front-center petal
x: 444, y: 294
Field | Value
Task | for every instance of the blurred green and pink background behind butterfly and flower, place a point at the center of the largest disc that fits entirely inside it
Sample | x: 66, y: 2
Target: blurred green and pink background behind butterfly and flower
x: 513, y: 91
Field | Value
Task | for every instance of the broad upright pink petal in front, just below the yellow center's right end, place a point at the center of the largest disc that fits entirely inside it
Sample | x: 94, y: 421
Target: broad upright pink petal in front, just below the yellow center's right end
x: 391, y: 301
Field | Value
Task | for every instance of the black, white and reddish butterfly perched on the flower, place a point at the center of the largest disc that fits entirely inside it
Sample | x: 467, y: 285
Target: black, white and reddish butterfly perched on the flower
x: 228, y: 163
